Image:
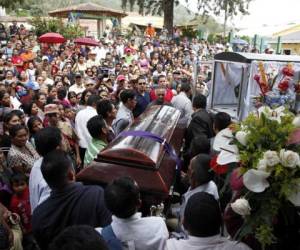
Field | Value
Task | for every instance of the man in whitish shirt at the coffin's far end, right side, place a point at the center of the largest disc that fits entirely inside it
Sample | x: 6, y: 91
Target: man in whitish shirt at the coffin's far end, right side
x: 183, y: 103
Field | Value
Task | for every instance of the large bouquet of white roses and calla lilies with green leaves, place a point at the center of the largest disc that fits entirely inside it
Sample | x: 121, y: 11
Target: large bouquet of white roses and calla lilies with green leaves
x: 267, y: 150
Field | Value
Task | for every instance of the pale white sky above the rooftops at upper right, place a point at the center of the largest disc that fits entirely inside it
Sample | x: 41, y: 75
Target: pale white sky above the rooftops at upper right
x: 265, y: 13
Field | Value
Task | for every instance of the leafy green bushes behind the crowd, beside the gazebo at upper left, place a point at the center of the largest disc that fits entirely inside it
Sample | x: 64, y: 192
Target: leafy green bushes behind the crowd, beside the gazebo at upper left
x: 42, y: 26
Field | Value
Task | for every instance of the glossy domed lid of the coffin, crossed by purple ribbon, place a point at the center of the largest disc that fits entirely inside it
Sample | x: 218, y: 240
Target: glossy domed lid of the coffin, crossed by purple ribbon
x: 143, y: 152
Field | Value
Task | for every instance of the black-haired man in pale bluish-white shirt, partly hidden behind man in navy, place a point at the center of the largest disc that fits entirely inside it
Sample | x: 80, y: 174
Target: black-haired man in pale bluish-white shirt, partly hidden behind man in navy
x: 46, y: 140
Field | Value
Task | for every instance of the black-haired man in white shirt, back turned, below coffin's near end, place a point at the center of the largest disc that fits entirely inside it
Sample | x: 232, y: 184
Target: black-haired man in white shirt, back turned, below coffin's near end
x: 122, y: 198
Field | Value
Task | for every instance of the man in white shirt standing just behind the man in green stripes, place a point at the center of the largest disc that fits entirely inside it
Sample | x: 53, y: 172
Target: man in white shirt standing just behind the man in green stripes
x: 82, y: 117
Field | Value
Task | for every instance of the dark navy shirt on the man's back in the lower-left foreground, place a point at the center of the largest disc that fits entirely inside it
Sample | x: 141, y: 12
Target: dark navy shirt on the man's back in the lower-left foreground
x: 76, y: 204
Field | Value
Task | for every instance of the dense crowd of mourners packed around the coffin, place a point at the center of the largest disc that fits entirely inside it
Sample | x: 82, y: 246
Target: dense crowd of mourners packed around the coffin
x: 60, y: 105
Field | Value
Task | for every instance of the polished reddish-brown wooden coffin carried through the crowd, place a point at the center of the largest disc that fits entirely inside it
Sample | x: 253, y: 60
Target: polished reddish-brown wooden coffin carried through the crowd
x: 144, y: 159
